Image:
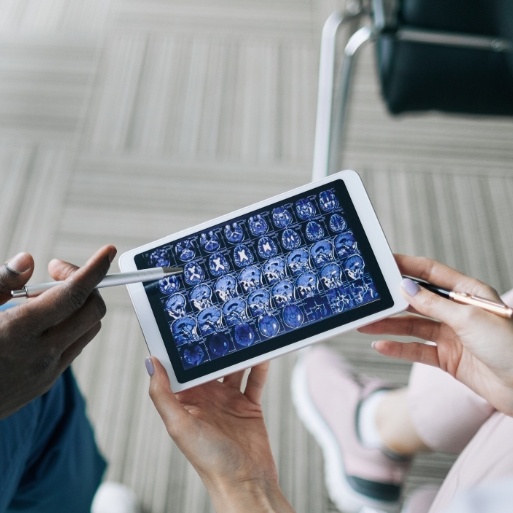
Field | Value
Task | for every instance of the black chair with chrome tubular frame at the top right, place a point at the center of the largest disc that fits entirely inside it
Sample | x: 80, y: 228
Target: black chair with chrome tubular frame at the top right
x: 452, y: 56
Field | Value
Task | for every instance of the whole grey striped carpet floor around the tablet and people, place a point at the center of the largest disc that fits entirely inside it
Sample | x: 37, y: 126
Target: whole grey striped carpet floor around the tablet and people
x: 123, y: 121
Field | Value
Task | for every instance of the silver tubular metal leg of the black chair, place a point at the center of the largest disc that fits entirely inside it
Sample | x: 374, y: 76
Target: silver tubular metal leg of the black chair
x: 324, y: 156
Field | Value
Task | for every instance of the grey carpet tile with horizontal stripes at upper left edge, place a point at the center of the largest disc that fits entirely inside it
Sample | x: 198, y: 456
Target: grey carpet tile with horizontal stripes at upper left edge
x: 45, y: 83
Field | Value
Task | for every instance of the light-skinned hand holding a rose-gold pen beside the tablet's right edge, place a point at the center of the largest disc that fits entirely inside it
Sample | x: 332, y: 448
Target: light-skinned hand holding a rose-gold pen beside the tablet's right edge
x: 471, y: 344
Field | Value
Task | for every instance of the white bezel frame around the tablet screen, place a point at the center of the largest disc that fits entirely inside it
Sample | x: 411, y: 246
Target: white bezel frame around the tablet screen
x: 376, y: 241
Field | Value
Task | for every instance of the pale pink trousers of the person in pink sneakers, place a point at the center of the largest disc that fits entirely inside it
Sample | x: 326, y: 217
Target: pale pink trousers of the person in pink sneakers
x: 450, y: 417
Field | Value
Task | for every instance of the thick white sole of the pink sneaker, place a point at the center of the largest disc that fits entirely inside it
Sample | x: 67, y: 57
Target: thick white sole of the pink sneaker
x: 340, y: 491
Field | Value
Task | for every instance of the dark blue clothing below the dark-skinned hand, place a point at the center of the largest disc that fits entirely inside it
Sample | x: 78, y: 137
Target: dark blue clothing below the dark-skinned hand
x: 49, y: 461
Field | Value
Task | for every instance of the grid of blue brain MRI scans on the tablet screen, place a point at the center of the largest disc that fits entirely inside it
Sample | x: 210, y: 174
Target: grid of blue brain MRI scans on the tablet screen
x: 260, y: 276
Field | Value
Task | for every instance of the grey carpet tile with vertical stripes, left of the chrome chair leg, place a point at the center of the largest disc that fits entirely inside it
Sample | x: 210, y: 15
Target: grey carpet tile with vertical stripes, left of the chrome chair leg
x: 201, y: 97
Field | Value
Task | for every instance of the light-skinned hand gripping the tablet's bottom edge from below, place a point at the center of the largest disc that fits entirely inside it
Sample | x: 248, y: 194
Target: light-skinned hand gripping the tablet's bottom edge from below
x: 221, y: 431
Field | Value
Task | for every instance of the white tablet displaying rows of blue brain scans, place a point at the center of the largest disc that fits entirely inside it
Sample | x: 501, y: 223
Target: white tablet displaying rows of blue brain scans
x: 265, y: 280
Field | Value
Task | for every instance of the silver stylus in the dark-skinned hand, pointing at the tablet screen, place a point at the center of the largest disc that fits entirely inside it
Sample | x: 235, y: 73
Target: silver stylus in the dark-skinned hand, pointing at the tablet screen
x: 111, y: 280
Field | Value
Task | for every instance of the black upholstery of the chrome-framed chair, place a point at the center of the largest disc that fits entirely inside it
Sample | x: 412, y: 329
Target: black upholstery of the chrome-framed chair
x: 456, y: 78
